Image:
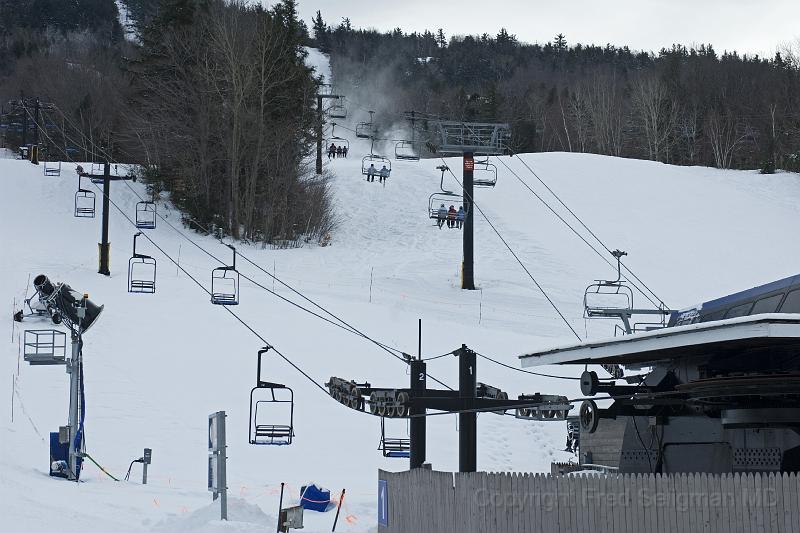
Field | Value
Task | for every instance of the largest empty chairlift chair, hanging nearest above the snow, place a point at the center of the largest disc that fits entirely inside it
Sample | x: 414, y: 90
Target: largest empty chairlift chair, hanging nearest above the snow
x: 262, y: 396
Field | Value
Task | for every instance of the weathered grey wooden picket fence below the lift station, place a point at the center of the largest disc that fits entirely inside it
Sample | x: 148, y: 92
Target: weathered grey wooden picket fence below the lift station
x: 424, y: 501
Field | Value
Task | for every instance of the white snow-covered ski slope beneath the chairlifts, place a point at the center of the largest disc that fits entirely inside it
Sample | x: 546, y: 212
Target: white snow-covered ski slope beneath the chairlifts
x: 157, y: 365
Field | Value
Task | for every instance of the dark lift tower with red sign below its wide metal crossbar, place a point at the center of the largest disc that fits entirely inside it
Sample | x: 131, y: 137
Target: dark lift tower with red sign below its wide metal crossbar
x: 470, y: 139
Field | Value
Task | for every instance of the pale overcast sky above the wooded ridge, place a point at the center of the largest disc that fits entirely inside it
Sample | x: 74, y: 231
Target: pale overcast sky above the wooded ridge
x: 753, y: 26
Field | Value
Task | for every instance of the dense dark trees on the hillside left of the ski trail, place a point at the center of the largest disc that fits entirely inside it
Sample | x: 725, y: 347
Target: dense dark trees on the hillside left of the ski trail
x: 214, y: 101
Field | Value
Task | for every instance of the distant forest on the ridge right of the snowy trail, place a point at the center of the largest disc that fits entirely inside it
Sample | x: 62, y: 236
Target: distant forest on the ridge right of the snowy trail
x: 686, y: 106
